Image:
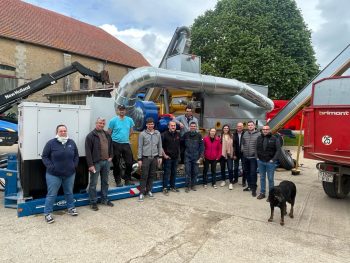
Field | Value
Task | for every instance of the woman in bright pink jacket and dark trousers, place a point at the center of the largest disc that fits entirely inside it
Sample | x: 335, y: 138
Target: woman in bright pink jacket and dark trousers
x: 212, y: 153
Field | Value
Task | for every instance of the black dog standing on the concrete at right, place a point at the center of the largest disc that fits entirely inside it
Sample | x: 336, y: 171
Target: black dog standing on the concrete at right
x: 279, y: 195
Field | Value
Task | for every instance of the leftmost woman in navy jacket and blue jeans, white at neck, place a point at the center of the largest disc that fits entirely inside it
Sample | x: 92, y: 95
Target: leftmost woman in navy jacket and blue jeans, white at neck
x: 60, y: 156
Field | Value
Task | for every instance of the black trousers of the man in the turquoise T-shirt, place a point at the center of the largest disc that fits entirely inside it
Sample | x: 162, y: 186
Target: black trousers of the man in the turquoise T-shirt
x: 122, y: 150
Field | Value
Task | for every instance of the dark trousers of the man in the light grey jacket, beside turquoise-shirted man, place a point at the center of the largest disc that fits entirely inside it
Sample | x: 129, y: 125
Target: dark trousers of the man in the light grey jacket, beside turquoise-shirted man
x: 148, y: 173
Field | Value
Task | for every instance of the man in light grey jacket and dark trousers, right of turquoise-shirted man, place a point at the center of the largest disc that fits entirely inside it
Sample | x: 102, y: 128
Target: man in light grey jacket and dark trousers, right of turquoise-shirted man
x: 148, y: 156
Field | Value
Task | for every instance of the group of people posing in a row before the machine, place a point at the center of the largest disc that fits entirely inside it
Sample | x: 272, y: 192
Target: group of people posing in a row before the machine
x: 252, y: 148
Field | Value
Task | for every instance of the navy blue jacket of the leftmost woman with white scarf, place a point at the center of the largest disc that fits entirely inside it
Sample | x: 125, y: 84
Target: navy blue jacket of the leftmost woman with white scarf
x: 59, y: 159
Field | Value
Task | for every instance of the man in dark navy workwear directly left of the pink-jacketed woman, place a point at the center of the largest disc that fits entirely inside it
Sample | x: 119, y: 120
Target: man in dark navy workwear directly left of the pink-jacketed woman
x: 193, y: 151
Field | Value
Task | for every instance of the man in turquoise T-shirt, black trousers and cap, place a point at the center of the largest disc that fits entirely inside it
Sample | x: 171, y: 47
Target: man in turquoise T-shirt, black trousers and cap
x: 120, y: 128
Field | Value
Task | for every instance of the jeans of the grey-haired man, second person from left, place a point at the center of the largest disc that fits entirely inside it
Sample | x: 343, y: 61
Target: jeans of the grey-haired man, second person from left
x: 102, y: 169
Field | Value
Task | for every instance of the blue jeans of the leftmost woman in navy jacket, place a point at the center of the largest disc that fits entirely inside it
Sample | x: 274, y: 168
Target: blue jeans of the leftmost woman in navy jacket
x: 53, y: 185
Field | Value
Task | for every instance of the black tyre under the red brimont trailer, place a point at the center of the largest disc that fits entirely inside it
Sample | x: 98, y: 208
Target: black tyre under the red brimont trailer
x: 331, y: 189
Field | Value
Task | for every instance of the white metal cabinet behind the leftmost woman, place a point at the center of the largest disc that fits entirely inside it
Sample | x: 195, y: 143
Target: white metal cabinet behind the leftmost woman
x: 37, y: 124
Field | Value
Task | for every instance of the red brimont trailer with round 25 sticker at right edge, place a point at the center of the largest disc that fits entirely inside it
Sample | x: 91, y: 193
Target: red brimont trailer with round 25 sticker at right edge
x: 327, y: 133
